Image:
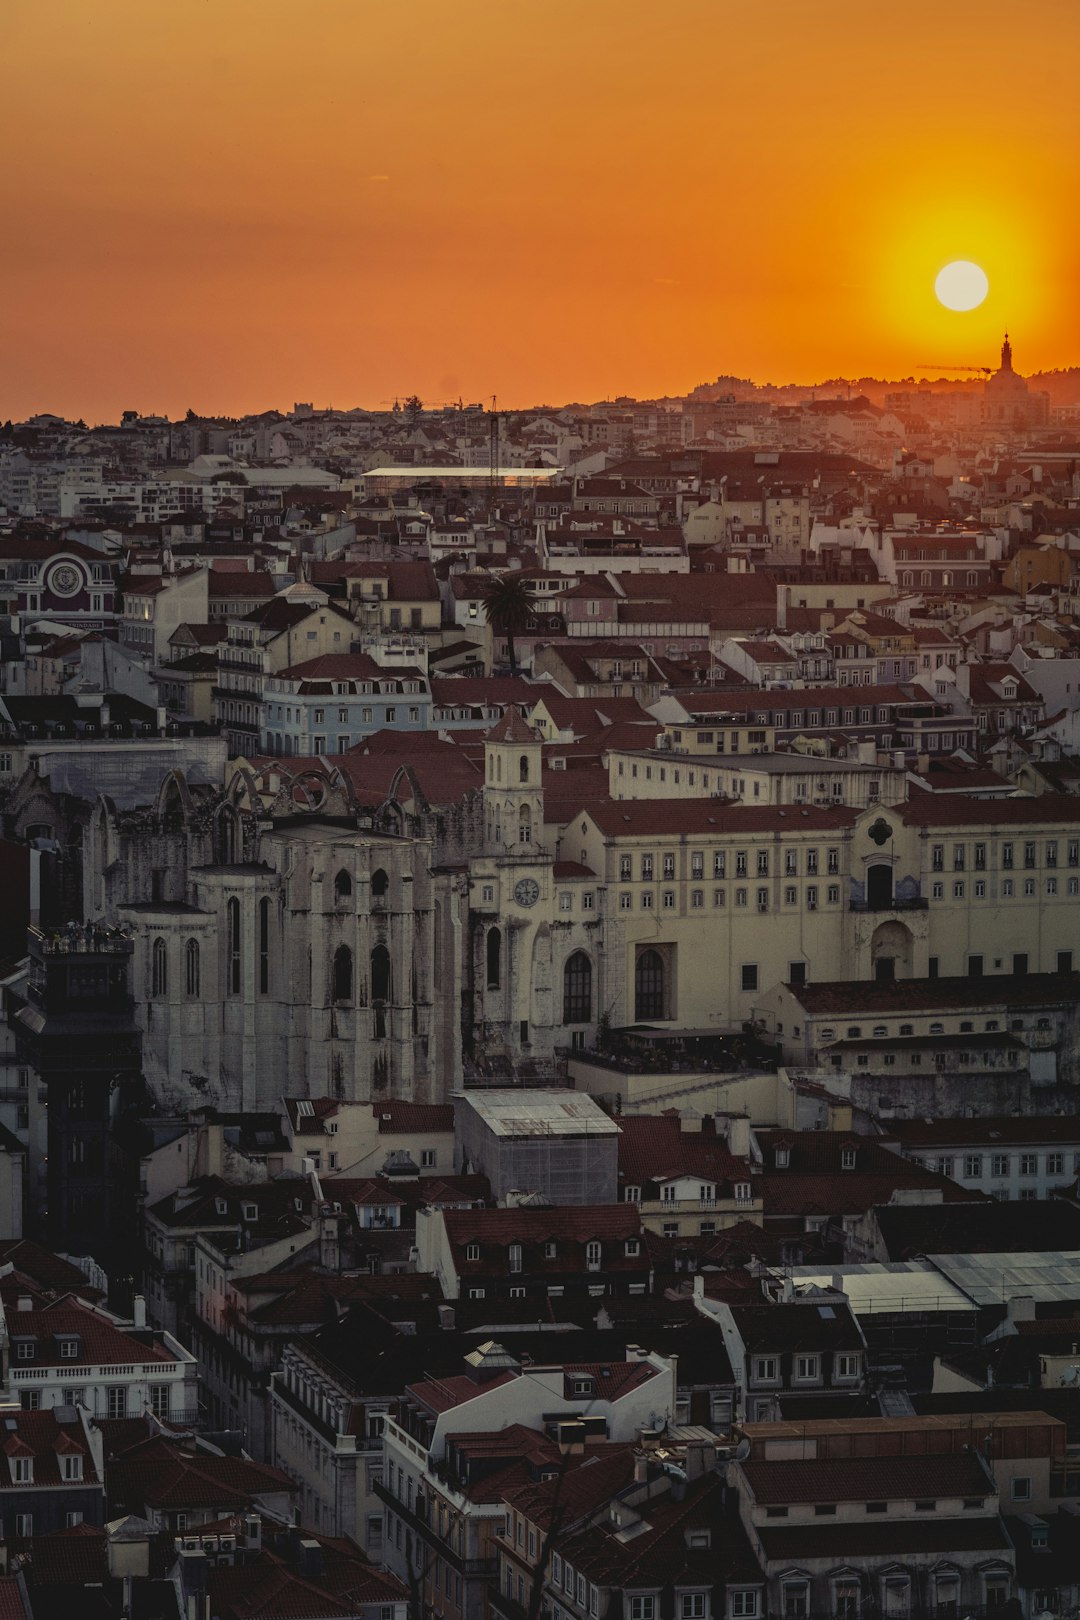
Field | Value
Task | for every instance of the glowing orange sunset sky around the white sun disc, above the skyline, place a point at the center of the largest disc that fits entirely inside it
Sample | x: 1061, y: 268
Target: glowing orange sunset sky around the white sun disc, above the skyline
x: 240, y: 203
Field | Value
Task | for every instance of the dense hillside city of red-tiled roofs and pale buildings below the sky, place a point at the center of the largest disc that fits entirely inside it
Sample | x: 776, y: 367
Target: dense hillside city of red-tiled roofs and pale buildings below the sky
x: 542, y: 1008
